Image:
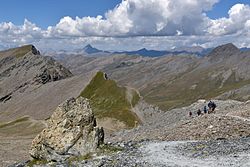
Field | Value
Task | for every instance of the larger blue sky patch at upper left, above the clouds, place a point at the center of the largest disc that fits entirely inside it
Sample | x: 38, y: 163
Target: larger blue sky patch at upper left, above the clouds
x: 48, y: 12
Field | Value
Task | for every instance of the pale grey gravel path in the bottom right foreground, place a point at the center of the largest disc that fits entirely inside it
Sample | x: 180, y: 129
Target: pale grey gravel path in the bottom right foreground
x: 165, y: 154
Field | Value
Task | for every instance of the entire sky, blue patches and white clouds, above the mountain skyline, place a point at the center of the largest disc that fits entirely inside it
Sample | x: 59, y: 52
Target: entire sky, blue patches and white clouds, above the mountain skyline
x: 124, y: 24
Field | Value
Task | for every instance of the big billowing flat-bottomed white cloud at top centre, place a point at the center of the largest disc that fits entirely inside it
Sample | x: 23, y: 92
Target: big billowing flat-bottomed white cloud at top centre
x: 140, y: 18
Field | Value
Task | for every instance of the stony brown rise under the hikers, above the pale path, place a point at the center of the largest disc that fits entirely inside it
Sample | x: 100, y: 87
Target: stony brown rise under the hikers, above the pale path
x: 230, y: 121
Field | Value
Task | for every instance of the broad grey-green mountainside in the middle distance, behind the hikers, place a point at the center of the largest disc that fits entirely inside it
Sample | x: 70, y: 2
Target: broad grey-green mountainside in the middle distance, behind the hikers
x: 176, y: 80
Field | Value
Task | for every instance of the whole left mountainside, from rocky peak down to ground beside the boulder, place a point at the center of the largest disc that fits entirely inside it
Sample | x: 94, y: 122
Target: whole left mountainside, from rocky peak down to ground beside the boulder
x: 31, y: 87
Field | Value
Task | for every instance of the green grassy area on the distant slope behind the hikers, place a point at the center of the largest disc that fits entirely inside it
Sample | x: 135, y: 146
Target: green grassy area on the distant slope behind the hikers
x: 178, y: 93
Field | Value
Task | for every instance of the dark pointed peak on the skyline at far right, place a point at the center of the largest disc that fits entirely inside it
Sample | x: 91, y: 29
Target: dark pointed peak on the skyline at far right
x: 224, y: 51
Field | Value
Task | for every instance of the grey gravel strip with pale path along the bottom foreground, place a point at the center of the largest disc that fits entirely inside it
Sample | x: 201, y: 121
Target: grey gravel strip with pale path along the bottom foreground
x: 219, y: 153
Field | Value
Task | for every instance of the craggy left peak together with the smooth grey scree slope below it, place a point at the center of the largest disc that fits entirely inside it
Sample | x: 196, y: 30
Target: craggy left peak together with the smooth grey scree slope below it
x: 34, y: 85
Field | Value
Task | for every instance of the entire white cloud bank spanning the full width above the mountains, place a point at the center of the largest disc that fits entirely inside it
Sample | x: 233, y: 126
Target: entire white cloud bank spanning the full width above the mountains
x: 133, y: 24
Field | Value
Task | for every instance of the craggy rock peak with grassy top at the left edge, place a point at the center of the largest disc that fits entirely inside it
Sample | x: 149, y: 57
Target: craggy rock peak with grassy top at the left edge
x: 23, y: 68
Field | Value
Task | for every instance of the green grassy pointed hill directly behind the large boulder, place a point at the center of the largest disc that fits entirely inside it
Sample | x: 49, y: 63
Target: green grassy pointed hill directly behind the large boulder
x: 109, y: 100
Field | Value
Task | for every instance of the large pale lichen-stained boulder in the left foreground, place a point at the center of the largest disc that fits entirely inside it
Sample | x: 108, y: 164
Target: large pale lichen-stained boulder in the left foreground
x: 71, y: 131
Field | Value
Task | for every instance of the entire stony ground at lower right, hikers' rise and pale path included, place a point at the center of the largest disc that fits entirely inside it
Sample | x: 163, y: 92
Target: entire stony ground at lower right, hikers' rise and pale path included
x: 173, y: 139
